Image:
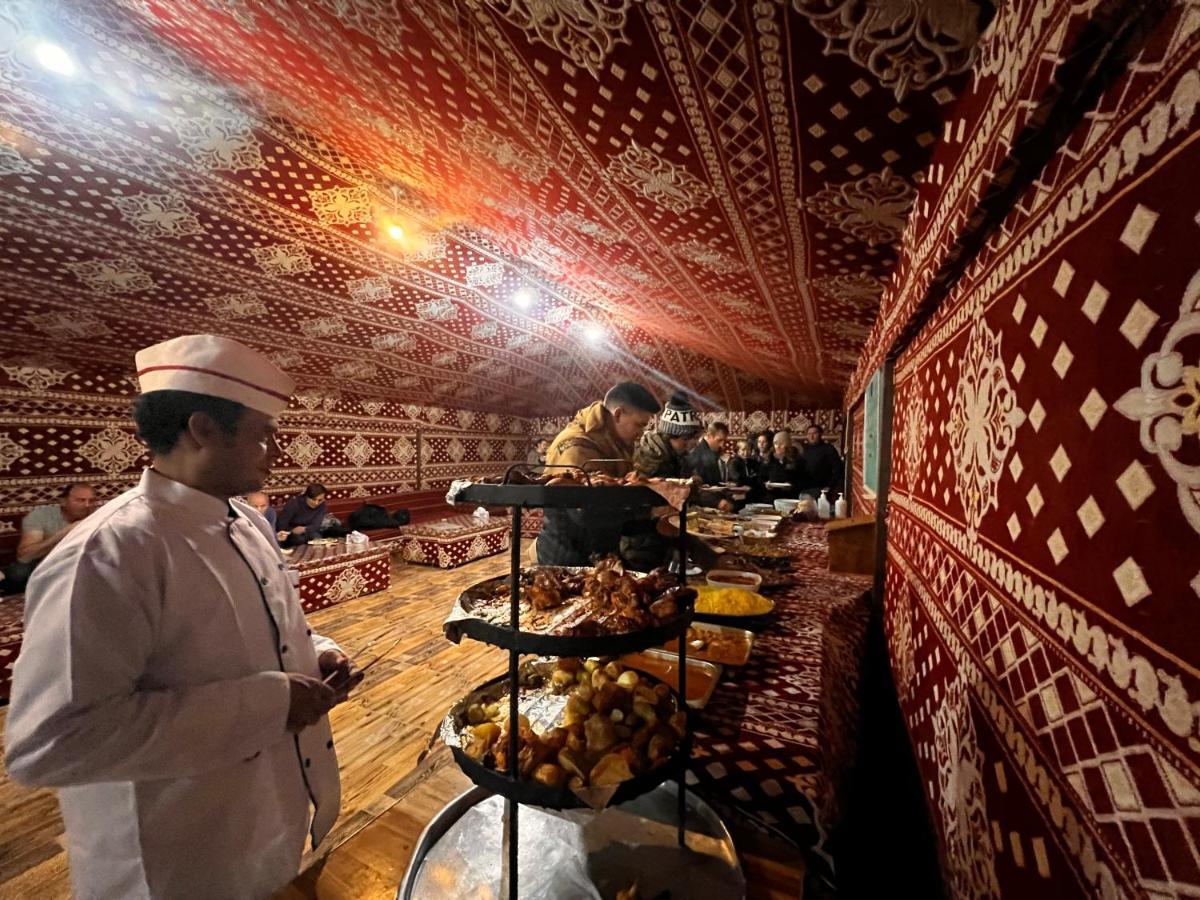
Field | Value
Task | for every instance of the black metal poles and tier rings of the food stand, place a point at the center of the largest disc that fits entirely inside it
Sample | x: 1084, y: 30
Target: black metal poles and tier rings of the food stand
x: 596, y: 499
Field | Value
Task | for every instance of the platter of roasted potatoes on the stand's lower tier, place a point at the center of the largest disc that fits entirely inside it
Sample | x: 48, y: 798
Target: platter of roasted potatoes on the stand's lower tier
x: 469, y: 730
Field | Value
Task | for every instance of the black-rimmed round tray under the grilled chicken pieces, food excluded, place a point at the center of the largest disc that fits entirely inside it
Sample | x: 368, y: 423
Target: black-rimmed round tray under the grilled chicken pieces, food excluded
x: 465, y: 623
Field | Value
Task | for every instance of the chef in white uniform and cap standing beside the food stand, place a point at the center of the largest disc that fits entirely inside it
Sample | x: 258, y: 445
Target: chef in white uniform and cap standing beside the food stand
x: 169, y: 685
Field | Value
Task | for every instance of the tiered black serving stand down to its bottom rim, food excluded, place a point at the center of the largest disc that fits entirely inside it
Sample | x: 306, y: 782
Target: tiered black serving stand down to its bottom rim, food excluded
x: 515, y: 790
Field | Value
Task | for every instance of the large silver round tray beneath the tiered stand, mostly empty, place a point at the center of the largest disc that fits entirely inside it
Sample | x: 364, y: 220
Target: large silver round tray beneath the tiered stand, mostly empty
x: 577, y: 855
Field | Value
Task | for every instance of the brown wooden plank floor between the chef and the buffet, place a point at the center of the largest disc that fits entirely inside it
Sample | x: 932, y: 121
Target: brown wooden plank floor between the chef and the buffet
x: 389, y: 791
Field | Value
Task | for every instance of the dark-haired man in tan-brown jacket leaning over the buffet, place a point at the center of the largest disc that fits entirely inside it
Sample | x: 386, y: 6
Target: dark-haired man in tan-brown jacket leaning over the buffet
x: 601, y: 439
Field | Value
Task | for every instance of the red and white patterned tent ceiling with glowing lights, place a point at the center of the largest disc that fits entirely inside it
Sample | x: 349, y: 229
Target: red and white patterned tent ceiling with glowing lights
x: 703, y: 195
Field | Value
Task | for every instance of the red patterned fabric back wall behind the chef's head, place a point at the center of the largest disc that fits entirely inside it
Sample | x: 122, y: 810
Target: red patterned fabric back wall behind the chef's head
x: 62, y: 424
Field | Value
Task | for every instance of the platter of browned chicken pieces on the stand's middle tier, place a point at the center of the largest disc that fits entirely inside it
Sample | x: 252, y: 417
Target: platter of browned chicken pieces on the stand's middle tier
x: 483, y: 613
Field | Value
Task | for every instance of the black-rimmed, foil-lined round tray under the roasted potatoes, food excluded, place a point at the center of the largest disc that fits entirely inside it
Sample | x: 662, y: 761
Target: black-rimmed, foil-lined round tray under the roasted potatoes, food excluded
x: 544, y: 710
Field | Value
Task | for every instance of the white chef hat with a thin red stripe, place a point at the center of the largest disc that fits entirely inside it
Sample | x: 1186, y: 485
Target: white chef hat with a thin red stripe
x: 218, y: 368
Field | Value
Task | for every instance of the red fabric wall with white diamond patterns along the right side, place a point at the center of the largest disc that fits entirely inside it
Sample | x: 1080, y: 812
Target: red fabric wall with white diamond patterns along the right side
x: 1043, y: 567
